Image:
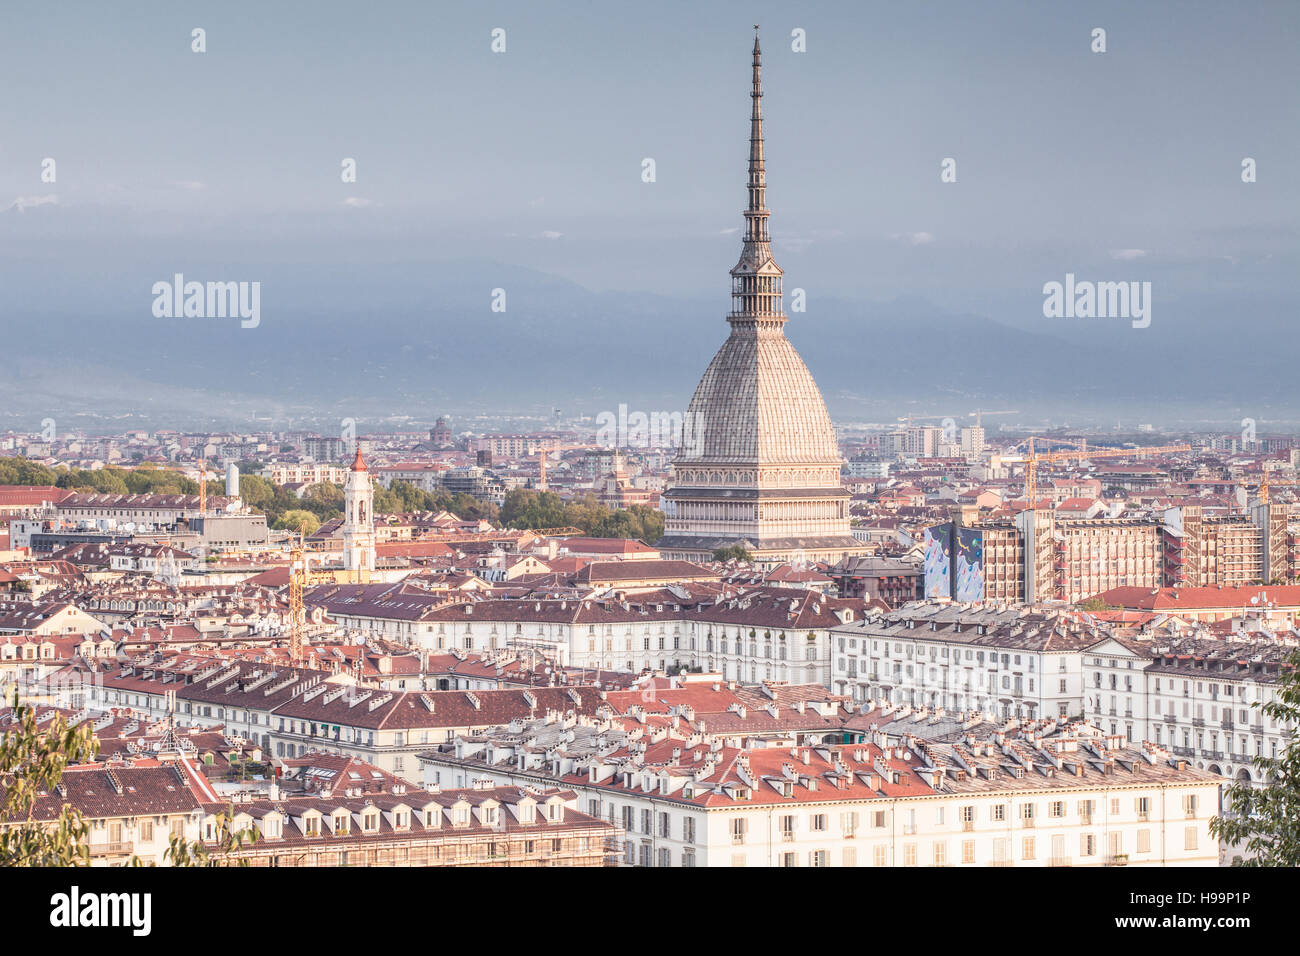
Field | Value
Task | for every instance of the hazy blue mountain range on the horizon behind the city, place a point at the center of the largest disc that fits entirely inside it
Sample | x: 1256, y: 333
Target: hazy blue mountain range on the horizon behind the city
x: 421, y: 339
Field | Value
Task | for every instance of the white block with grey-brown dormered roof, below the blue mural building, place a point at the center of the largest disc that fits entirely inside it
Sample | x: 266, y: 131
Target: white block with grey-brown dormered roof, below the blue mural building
x: 1008, y: 663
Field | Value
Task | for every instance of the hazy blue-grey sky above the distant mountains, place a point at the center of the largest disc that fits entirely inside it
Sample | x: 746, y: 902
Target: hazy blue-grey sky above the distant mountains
x: 1116, y: 166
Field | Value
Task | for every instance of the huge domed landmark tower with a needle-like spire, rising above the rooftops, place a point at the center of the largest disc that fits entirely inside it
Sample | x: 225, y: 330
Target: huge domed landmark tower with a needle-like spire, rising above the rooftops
x: 764, y: 469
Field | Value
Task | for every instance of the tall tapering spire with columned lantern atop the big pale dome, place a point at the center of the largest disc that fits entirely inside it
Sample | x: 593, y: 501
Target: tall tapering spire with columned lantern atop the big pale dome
x: 757, y: 280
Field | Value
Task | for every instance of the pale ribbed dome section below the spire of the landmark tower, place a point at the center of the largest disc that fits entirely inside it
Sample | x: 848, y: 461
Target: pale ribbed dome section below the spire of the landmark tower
x: 757, y: 404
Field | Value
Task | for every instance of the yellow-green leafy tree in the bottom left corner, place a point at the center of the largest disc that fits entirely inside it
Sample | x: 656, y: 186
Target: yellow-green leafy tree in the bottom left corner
x: 32, y: 764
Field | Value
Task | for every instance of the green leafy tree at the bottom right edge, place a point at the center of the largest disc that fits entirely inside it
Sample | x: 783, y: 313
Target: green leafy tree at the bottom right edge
x: 1267, y: 820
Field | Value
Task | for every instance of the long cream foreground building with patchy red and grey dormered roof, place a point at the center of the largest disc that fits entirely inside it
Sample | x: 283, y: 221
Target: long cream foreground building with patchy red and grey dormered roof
x: 1035, y: 795
